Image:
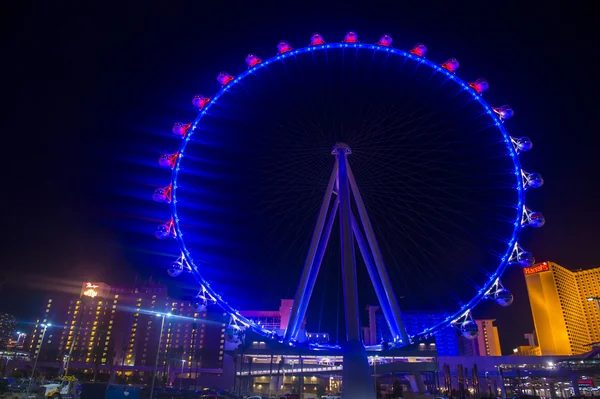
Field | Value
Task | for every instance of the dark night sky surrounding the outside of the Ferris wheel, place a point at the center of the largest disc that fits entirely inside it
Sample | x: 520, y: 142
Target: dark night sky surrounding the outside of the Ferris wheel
x: 94, y: 85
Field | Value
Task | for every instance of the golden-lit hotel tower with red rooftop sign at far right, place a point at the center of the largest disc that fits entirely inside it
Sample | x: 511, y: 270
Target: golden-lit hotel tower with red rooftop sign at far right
x: 566, y: 323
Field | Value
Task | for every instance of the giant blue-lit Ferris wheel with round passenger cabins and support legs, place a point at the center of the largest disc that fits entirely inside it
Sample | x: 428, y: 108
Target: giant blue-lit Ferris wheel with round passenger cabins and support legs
x: 411, y: 162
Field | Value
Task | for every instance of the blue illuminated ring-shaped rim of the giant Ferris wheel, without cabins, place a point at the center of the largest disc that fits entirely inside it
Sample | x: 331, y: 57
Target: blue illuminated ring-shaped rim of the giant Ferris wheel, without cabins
x: 416, y: 62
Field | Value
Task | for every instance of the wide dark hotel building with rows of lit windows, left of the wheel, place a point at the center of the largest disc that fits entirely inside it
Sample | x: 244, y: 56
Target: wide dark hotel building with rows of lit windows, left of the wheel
x: 118, y: 329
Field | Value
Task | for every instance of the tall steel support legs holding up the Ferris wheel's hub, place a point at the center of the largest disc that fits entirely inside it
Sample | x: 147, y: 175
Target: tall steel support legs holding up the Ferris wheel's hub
x: 341, y: 189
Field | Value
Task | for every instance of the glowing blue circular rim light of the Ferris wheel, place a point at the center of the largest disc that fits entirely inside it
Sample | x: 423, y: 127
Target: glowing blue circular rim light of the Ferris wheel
x: 437, y: 69
